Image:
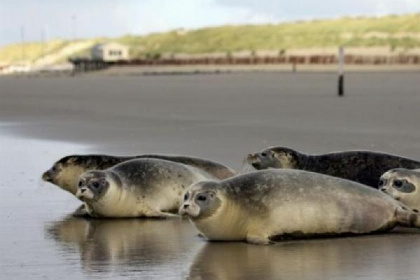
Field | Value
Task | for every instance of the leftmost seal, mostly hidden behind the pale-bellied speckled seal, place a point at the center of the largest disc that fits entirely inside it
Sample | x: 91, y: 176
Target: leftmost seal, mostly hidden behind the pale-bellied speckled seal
x: 66, y: 171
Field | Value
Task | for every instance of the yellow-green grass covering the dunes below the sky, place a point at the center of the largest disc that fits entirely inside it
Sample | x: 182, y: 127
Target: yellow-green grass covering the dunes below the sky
x: 402, y: 31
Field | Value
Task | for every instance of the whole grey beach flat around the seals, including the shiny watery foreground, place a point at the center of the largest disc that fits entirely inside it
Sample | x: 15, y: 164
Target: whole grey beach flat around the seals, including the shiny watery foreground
x: 220, y: 117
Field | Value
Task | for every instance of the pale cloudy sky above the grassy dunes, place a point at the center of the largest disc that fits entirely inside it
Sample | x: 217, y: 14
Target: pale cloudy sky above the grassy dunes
x: 110, y: 18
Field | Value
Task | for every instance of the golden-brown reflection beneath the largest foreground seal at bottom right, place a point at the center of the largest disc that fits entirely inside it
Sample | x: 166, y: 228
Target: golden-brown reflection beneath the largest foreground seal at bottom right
x: 346, y: 258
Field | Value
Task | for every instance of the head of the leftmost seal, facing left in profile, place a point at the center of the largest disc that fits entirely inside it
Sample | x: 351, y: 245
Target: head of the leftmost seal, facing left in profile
x: 65, y: 173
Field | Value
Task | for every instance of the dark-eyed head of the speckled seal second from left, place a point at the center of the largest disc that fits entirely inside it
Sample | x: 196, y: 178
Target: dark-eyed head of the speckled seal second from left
x: 93, y: 185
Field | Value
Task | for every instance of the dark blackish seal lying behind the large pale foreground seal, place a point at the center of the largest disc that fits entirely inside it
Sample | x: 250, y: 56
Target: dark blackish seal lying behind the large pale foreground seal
x: 364, y: 167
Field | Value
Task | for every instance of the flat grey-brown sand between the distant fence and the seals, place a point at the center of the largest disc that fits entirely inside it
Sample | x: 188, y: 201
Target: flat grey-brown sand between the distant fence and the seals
x: 219, y: 116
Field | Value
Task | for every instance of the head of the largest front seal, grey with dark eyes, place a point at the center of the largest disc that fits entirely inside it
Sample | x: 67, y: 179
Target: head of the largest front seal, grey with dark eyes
x: 201, y: 200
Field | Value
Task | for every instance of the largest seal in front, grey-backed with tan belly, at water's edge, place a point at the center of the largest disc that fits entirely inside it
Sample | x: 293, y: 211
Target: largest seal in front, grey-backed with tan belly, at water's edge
x: 270, y: 205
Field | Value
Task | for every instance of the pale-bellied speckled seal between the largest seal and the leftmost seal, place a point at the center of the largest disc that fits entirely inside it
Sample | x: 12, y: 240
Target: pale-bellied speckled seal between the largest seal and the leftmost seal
x: 137, y: 188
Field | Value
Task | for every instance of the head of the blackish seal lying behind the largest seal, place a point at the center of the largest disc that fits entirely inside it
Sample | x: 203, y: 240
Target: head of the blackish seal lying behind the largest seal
x: 274, y: 157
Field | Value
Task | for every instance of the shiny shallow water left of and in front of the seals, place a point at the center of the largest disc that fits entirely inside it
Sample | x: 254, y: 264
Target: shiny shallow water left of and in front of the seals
x: 39, y: 239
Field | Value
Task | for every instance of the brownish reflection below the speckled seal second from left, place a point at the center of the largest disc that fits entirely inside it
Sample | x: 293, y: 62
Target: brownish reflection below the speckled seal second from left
x: 125, y: 244
